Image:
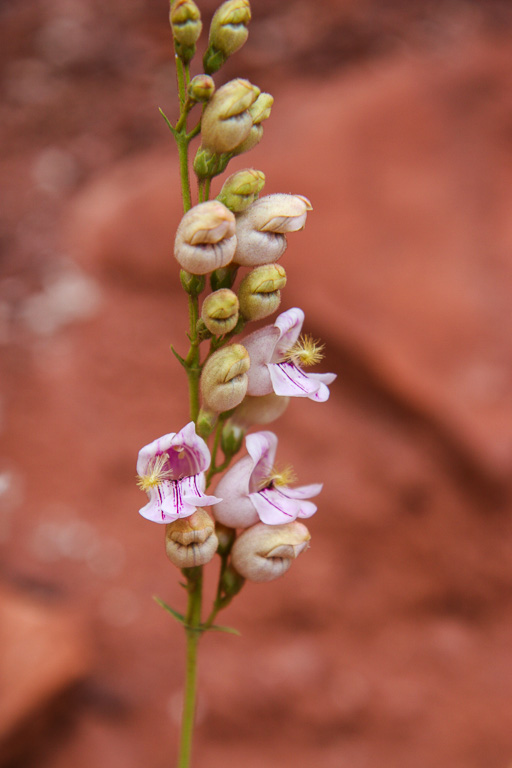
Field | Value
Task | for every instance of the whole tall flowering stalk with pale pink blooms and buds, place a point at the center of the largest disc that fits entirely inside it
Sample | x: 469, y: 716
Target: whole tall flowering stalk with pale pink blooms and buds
x: 252, y: 520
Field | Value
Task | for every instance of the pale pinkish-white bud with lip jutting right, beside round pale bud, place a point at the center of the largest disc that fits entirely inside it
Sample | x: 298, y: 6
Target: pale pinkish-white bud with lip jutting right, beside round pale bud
x: 261, y: 229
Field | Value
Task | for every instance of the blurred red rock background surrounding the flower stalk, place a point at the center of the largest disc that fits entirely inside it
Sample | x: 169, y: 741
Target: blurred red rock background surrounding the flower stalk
x: 390, y: 642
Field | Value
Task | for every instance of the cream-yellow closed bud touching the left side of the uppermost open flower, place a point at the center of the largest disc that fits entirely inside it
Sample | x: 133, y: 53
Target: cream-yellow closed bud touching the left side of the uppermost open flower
x: 224, y: 378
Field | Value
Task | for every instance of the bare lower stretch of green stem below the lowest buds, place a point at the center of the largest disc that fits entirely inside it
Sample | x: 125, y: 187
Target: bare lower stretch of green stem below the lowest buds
x: 195, y: 586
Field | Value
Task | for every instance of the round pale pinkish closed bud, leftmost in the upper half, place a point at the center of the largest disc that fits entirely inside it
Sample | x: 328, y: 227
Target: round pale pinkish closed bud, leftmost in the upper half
x: 205, y: 239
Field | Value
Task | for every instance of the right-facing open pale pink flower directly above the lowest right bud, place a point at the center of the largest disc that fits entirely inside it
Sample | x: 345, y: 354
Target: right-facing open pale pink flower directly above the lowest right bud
x: 253, y: 490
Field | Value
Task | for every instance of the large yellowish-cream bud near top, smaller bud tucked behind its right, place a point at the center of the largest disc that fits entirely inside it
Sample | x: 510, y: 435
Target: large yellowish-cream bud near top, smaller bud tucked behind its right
x: 226, y: 120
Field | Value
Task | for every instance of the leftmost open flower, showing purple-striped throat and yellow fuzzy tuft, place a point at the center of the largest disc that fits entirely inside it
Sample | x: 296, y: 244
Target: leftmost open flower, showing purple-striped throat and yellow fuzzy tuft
x: 171, y: 471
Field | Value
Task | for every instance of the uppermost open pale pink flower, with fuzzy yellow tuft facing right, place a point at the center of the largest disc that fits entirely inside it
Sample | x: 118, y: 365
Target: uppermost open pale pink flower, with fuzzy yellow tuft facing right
x: 278, y: 355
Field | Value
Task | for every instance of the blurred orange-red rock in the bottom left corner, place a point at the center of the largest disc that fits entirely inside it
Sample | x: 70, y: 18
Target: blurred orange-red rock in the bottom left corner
x: 43, y: 654
